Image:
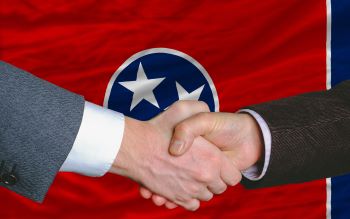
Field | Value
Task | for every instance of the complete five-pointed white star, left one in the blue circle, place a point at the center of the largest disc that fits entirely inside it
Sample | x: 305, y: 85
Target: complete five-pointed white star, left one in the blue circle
x: 142, y: 88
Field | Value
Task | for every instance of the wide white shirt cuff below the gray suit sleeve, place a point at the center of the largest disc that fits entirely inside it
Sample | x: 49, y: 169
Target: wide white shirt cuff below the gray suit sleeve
x: 97, y: 143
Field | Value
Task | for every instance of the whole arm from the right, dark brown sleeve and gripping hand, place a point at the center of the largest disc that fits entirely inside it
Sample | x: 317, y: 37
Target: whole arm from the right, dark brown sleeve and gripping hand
x: 309, y: 136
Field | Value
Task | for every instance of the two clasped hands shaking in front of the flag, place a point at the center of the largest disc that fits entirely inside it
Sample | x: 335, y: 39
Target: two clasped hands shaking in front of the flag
x: 187, y: 154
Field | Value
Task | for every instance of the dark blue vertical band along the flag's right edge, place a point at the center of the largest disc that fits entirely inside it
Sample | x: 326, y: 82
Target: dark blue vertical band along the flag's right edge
x: 340, y: 67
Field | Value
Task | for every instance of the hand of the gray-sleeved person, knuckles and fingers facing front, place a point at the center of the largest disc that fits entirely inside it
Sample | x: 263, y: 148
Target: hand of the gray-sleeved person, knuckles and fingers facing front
x: 183, y: 180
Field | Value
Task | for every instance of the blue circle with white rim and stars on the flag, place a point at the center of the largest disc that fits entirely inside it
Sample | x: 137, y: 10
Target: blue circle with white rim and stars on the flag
x: 151, y: 80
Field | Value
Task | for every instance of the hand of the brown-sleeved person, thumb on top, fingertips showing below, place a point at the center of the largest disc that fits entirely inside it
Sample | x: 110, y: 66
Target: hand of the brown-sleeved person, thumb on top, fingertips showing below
x: 236, y: 134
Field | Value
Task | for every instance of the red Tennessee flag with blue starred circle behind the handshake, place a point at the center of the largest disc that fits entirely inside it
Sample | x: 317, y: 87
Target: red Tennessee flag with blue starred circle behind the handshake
x: 229, y: 54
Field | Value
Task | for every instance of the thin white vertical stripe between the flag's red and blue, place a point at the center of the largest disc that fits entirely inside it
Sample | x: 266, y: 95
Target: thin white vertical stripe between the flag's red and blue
x: 328, y: 86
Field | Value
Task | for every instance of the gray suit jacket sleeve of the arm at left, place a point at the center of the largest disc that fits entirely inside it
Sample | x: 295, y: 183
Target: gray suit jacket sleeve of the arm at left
x: 38, y: 125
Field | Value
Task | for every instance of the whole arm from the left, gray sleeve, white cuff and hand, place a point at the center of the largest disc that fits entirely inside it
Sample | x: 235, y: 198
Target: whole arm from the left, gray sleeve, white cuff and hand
x: 41, y: 122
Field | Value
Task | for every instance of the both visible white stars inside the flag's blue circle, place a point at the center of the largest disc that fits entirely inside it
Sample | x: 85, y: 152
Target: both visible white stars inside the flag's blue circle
x: 143, y: 88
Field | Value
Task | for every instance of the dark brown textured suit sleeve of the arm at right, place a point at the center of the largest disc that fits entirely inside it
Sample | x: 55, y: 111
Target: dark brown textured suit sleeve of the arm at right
x: 310, y: 136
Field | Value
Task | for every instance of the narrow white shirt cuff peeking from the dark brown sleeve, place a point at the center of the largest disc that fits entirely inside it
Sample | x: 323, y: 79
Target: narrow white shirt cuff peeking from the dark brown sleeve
x: 253, y: 173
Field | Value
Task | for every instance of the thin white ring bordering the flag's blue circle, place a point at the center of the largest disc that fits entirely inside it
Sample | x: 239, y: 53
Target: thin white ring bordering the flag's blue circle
x: 167, y: 51
